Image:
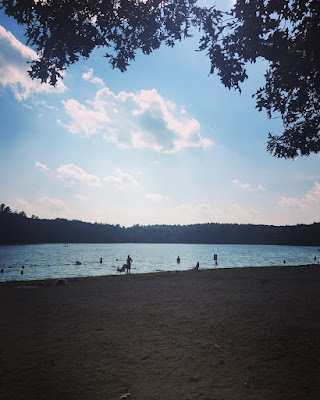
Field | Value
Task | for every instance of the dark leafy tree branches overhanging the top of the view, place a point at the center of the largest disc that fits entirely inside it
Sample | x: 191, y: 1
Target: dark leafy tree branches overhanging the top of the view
x: 284, y: 33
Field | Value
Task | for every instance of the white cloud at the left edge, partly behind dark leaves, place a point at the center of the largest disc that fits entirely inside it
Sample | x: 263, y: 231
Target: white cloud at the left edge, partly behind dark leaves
x: 13, y: 68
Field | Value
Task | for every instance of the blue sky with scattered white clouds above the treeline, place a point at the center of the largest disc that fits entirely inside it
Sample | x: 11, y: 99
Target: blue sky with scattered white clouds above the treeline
x: 162, y: 143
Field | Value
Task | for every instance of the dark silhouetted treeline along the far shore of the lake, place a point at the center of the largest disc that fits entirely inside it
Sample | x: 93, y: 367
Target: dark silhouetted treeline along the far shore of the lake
x: 17, y: 228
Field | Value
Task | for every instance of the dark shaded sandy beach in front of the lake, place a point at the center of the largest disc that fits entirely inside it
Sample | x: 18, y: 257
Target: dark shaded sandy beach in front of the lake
x: 250, y: 333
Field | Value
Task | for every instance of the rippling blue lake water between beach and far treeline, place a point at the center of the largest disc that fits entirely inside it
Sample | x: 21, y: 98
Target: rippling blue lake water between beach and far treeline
x: 57, y: 261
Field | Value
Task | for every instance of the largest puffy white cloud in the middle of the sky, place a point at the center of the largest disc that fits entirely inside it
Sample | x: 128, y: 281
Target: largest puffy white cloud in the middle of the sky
x: 143, y: 120
